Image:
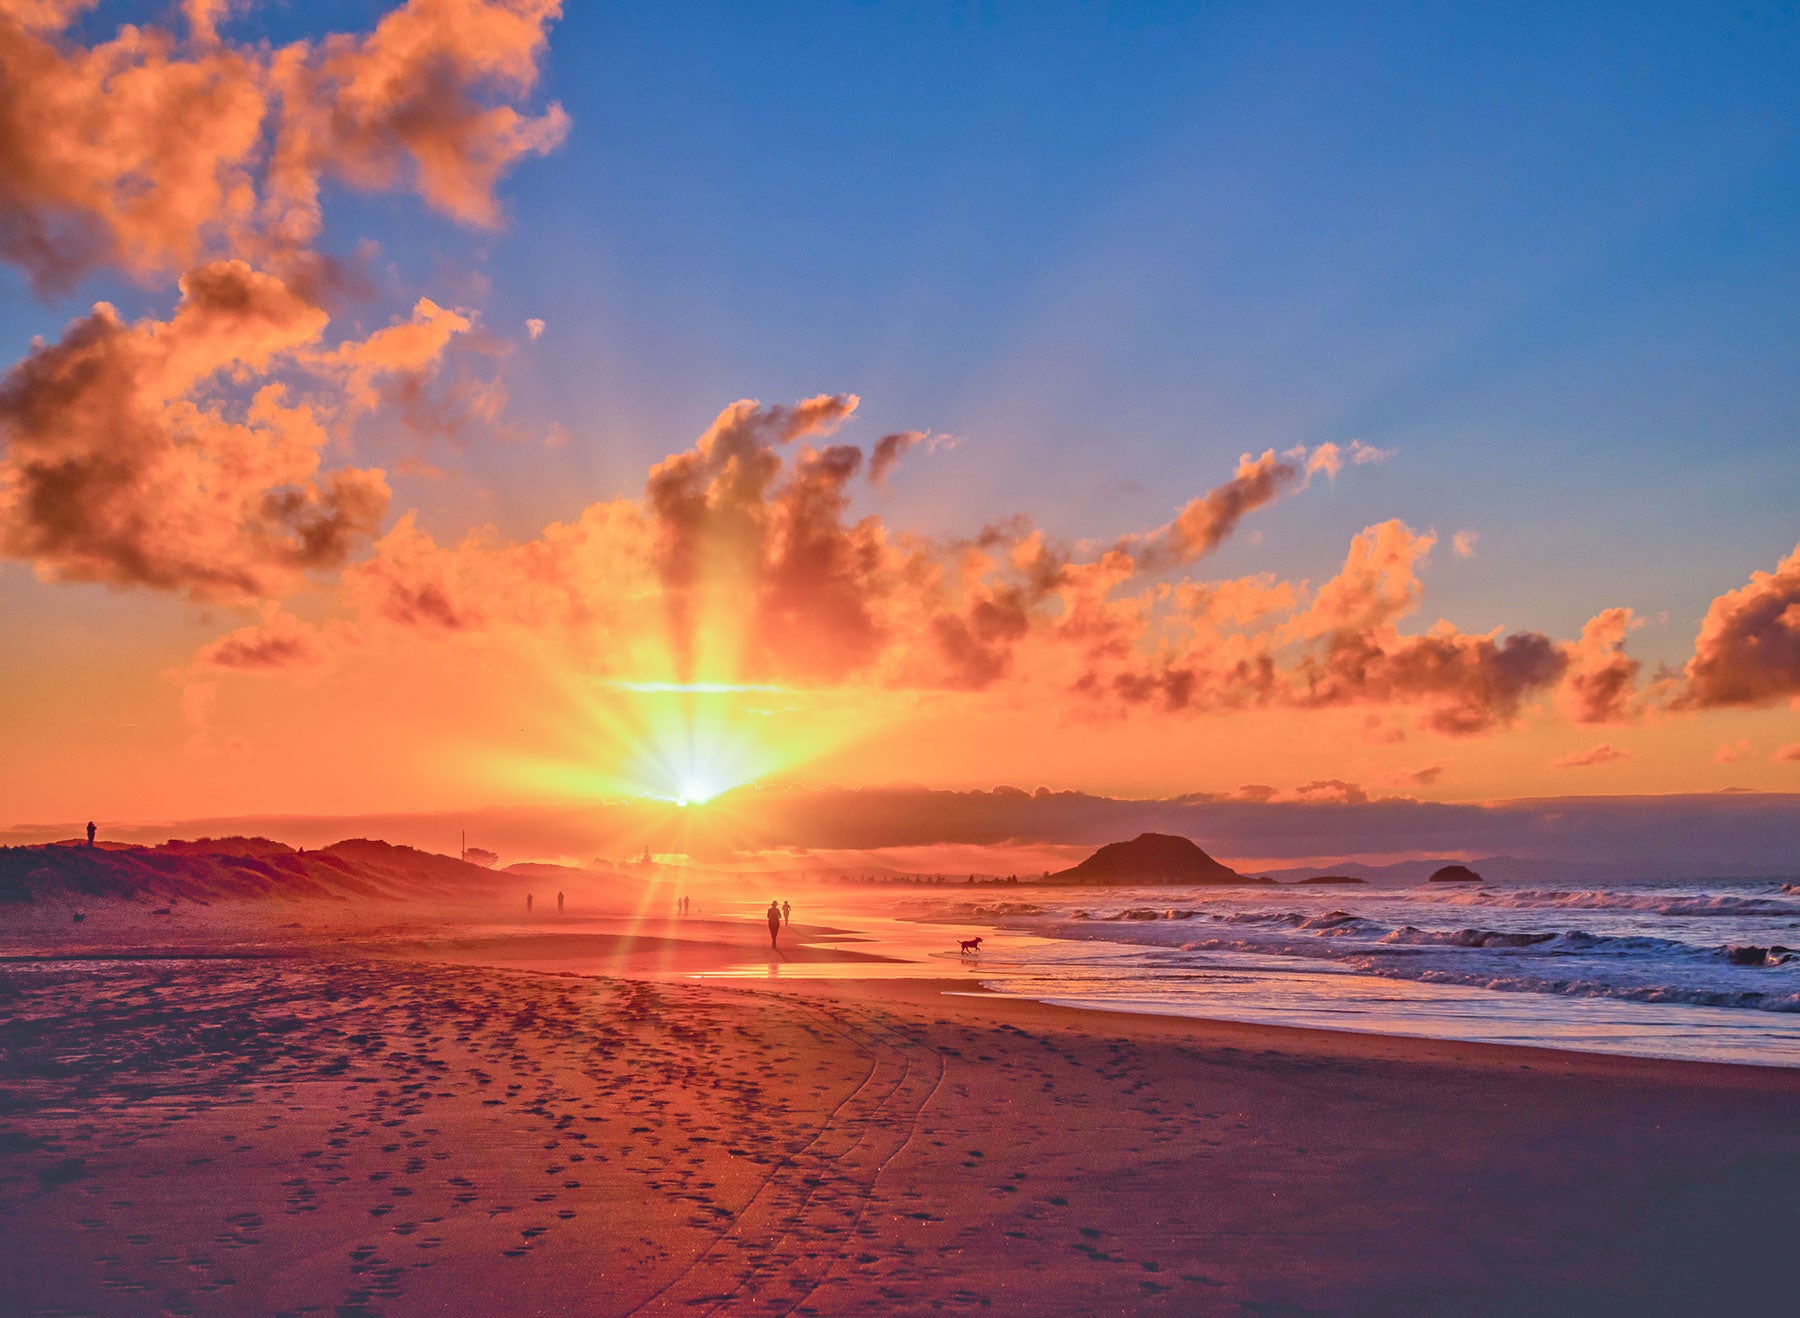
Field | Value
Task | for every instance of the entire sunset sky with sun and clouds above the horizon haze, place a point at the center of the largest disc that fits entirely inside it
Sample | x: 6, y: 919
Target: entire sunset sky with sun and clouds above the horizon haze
x: 469, y: 404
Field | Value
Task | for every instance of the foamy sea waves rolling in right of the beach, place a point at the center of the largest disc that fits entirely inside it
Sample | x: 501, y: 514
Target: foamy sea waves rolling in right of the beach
x: 1662, y: 970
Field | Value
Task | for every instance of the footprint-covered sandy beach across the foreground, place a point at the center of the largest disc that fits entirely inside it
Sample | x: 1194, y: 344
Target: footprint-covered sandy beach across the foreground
x: 343, y: 1132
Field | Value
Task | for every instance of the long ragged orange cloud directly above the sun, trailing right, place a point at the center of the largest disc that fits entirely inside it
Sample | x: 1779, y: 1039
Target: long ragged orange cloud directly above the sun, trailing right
x: 750, y: 561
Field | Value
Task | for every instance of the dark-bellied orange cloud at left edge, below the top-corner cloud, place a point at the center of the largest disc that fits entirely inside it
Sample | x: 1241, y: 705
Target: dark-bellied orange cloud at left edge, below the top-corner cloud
x: 121, y: 467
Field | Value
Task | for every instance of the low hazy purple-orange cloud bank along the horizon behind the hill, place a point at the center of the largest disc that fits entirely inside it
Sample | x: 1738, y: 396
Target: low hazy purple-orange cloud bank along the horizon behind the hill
x: 915, y: 829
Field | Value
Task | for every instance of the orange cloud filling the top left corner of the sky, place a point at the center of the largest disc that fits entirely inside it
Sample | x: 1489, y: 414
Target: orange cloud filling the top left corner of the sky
x: 154, y: 154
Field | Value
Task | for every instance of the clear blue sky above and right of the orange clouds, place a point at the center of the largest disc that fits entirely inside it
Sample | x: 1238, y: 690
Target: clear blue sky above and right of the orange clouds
x: 1547, y: 255
